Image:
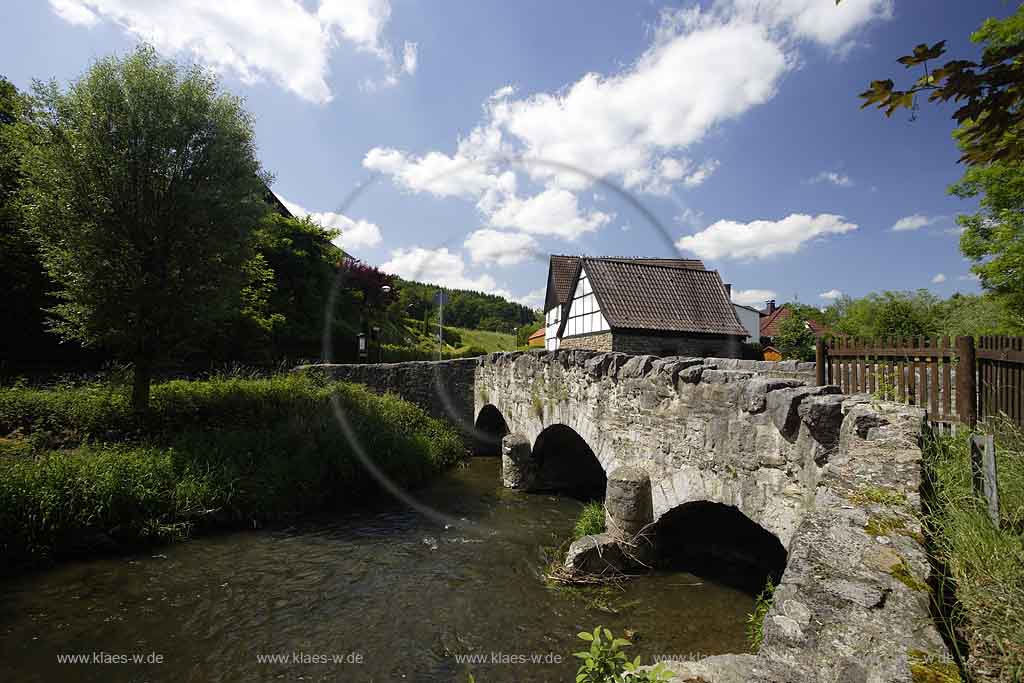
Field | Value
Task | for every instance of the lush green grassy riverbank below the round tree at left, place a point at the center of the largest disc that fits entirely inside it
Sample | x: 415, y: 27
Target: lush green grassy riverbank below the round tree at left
x: 78, y: 471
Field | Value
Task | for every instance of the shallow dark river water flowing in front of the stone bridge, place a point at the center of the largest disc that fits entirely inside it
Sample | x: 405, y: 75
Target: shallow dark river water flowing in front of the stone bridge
x: 395, y: 594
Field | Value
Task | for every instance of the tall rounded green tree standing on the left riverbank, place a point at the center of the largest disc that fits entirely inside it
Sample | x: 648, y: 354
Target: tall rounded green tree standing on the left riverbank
x: 142, y: 189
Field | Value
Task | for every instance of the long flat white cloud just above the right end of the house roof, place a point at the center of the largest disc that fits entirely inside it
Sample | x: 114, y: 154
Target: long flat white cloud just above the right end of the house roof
x: 762, y: 239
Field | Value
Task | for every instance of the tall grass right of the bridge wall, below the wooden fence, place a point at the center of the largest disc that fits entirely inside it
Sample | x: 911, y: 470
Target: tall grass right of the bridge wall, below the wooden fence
x: 984, y: 565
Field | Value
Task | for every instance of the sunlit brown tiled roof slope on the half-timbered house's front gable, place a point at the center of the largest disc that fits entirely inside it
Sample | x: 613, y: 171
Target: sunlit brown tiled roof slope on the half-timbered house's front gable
x: 637, y: 295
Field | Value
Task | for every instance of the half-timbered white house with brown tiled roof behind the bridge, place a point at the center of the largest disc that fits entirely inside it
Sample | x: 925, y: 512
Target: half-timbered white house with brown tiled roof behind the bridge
x: 639, y: 306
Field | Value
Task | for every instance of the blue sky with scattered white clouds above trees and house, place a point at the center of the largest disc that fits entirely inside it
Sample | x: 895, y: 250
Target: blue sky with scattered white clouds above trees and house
x: 463, y: 143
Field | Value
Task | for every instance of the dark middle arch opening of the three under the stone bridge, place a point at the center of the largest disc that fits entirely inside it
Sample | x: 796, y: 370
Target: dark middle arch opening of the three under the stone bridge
x: 568, y: 464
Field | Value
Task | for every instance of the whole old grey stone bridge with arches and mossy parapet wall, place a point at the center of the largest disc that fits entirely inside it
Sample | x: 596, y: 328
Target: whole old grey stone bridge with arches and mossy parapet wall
x: 830, y: 484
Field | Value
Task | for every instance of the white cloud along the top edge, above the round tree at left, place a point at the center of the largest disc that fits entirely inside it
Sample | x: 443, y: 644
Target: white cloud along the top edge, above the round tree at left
x: 276, y: 39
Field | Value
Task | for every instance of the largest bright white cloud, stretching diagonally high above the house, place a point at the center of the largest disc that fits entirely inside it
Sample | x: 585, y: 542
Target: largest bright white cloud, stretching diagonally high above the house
x: 596, y: 125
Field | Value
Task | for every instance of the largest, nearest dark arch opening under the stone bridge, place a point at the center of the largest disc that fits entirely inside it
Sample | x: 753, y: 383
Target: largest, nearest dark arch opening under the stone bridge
x: 718, y: 540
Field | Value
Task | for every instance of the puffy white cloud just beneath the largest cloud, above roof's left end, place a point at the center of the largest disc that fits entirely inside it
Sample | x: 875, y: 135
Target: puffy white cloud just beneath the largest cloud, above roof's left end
x: 554, y: 212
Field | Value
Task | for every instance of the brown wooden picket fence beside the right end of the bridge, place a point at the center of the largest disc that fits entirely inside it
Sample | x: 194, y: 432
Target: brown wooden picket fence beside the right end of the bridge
x: 957, y: 381
